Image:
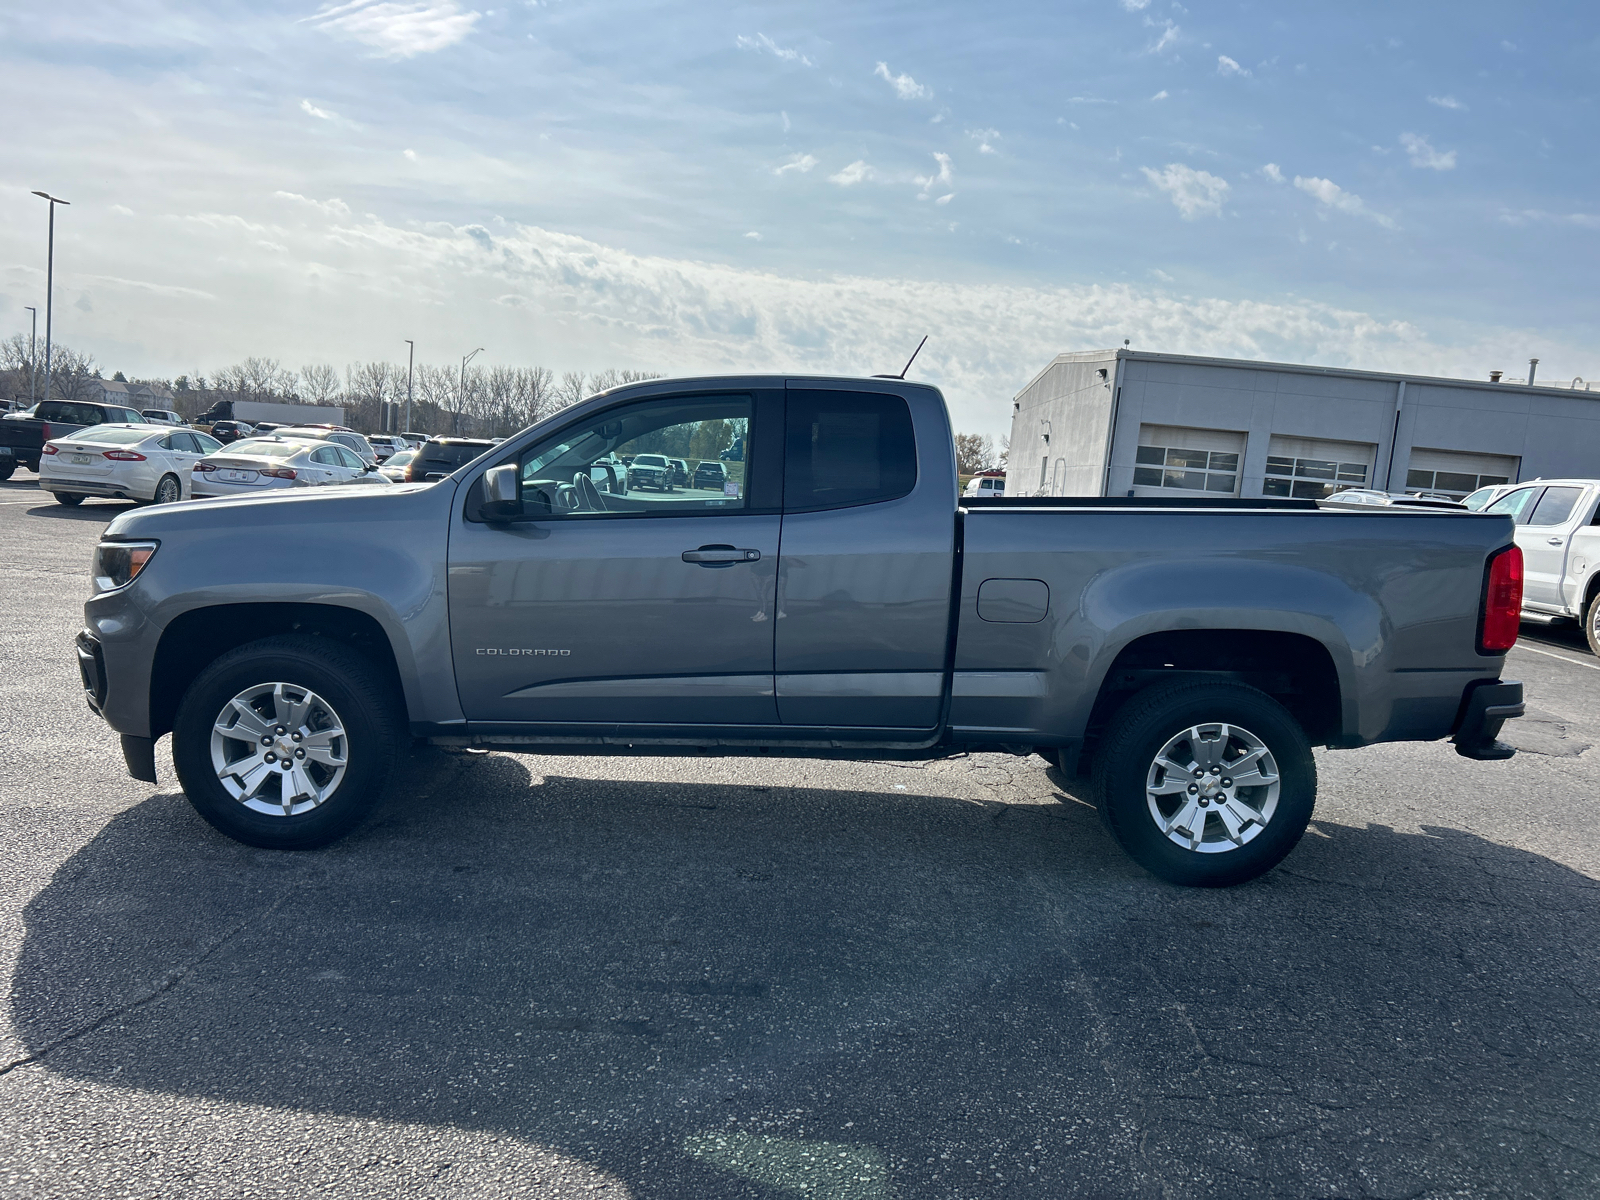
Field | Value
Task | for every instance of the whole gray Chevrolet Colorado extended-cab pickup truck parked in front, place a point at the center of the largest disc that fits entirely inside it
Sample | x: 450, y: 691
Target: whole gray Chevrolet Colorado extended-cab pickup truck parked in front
x: 828, y: 596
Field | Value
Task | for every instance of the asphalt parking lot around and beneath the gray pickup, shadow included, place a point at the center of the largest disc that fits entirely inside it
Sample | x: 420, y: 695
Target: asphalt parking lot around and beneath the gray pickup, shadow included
x: 748, y: 978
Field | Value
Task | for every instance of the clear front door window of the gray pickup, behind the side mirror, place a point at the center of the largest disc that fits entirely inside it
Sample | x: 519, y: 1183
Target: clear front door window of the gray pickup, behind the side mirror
x: 620, y: 463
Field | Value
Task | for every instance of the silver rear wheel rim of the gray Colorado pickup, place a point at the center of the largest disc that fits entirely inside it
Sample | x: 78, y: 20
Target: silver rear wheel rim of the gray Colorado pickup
x: 1214, y: 788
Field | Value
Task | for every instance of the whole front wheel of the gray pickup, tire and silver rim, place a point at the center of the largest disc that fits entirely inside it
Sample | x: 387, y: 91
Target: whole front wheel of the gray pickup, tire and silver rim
x: 287, y: 743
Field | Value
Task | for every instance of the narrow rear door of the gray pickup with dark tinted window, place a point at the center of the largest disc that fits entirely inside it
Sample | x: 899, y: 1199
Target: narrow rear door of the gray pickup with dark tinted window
x: 868, y: 545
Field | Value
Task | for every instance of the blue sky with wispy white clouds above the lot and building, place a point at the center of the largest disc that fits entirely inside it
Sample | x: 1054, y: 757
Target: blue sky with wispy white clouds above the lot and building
x: 807, y: 186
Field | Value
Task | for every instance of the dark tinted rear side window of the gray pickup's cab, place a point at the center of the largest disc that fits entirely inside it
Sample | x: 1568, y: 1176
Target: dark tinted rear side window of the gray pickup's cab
x: 847, y: 449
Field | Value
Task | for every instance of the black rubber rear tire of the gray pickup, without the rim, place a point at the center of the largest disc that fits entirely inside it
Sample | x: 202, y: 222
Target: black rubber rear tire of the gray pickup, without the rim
x: 1126, y: 761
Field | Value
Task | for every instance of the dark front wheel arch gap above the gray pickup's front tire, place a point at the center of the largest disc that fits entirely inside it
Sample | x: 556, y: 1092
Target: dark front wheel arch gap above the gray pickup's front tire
x: 199, y: 638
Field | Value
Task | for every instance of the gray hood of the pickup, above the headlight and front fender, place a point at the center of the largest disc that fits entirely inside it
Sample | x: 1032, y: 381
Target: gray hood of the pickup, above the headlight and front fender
x: 287, y: 508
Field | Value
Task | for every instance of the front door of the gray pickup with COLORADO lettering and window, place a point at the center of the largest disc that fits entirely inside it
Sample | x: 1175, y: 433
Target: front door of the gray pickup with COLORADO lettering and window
x: 604, y: 606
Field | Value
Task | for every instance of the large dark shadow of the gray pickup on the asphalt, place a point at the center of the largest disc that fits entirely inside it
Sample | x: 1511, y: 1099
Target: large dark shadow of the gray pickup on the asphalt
x: 682, y: 985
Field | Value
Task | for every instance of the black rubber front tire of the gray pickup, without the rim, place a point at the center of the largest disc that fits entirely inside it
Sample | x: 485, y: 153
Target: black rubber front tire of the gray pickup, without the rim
x: 353, y: 689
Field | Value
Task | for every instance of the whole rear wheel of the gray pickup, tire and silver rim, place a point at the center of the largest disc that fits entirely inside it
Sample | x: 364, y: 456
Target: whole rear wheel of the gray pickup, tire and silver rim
x: 1206, y: 785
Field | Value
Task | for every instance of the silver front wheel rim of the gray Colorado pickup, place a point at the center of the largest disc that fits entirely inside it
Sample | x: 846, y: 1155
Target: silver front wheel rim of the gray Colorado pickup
x: 279, y: 750
